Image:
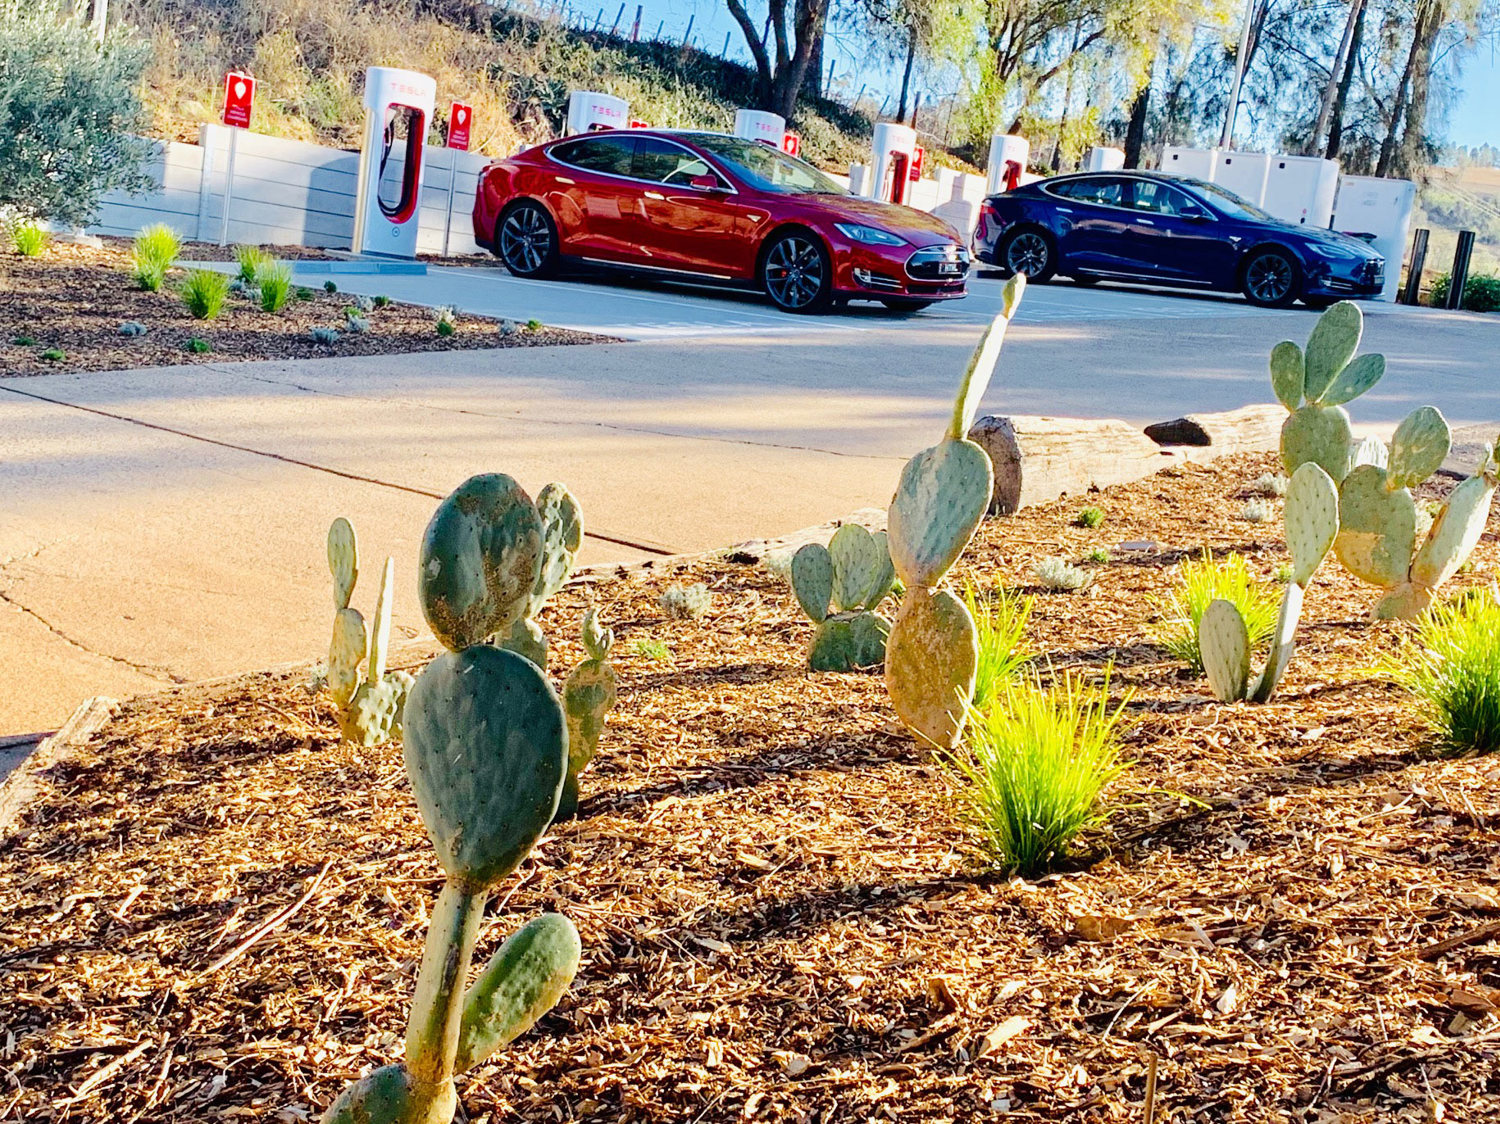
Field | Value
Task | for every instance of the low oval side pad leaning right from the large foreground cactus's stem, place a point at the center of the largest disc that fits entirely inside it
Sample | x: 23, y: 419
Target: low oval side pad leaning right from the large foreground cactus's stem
x: 520, y: 985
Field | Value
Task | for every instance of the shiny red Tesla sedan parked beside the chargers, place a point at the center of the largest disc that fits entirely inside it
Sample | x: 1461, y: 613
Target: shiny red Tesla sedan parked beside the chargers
x: 707, y: 206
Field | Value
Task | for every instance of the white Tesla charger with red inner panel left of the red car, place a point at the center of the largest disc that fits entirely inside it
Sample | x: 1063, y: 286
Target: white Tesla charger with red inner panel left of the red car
x: 398, y: 106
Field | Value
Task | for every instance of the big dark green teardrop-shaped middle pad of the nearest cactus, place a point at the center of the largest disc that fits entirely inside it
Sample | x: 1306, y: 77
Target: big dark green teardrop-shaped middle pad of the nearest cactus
x: 487, y: 753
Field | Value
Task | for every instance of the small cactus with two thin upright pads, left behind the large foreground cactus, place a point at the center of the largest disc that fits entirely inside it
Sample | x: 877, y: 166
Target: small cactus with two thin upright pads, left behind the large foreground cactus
x: 370, y: 699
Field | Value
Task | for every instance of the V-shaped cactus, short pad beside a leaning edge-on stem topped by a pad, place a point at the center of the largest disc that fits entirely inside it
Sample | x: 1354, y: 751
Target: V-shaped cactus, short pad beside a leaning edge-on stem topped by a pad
x: 1312, y: 523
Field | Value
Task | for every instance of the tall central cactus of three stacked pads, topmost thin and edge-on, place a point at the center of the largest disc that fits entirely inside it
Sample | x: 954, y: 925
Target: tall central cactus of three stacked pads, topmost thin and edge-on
x: 932, y: 652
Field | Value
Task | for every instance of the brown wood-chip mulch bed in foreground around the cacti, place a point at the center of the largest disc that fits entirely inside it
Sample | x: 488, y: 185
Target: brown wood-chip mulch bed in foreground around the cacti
x: 1292, y: 915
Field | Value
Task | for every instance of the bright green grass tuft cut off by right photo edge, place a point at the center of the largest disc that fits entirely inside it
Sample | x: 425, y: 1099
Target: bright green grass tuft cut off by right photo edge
x: 1453, y: 666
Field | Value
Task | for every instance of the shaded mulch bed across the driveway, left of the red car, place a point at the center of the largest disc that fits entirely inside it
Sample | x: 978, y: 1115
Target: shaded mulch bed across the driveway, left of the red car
x: 74, y: 299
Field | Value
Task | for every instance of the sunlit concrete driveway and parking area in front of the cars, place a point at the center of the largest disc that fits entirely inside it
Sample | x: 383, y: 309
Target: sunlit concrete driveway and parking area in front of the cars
x: 167, y: 526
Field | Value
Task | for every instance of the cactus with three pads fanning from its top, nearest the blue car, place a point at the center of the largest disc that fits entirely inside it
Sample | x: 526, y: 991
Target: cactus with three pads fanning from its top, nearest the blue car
x: 1316, y: 385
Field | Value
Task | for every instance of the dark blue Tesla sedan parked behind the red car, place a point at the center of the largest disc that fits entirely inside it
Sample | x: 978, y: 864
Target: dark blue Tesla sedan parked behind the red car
x: 1171, y: 230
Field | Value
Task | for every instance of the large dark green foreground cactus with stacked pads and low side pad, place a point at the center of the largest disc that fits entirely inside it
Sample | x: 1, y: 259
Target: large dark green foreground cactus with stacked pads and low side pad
x: 487, y: 754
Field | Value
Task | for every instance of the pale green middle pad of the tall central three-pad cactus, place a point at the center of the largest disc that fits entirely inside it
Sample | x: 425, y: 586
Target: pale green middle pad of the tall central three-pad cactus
x: 940, y: 502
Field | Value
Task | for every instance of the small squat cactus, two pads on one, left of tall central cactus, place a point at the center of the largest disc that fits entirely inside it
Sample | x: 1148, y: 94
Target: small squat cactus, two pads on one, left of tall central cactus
x: 839, y: 588
